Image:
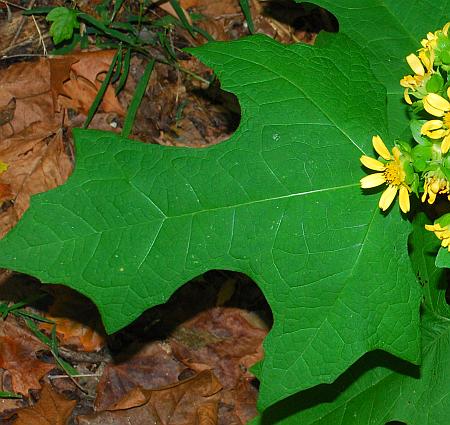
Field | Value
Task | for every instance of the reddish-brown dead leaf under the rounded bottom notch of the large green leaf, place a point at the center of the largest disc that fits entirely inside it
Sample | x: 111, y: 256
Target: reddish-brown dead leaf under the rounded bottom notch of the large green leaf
x: 228, y: 341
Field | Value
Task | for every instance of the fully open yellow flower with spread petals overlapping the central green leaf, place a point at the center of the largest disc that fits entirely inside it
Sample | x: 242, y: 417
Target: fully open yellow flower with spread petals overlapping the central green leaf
x: 391, y: 173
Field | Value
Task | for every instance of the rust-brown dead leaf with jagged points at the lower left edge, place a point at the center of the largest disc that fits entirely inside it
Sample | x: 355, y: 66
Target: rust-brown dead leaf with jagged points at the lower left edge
x: 18, y: 347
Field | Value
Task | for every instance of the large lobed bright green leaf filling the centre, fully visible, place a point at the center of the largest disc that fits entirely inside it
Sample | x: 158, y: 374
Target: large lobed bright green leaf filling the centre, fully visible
x: 279, y: 201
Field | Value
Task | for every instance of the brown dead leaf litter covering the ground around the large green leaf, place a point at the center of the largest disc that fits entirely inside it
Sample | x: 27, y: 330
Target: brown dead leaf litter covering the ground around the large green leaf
x: 186, y: 360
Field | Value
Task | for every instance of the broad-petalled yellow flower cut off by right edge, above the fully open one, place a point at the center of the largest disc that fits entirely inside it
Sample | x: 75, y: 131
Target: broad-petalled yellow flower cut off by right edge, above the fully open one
x: 438, y: 129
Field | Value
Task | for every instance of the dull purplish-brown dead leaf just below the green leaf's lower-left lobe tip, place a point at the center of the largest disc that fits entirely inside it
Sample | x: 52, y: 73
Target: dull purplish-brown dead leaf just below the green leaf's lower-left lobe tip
x: 149, y: 367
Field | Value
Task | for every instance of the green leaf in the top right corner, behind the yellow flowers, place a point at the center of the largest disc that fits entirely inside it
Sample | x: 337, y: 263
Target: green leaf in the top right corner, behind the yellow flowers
x: 388, y: 31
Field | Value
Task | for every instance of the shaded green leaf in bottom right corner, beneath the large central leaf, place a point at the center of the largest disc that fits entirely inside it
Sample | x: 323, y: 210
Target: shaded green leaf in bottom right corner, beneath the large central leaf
x: 380, y: 388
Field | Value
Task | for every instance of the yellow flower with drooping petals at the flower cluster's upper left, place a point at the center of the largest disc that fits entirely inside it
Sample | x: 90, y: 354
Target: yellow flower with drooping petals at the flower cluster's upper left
x: 422, y: 66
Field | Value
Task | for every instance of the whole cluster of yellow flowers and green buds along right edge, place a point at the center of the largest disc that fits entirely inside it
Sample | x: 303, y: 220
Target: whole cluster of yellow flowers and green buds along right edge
x: 420, y: 166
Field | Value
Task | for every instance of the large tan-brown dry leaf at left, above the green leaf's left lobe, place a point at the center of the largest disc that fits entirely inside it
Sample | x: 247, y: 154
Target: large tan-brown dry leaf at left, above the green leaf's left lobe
x: 32, y: 102
